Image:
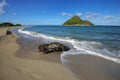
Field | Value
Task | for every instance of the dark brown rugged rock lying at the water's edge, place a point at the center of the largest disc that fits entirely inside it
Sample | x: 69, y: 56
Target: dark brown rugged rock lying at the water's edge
x: 53, y: 47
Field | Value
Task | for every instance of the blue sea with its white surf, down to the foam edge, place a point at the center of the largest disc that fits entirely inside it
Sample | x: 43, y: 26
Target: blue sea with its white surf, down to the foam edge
x: 102, y: 41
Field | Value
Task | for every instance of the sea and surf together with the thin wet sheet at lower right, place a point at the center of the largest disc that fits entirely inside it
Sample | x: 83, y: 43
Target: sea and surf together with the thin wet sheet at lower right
x: 102, y: 41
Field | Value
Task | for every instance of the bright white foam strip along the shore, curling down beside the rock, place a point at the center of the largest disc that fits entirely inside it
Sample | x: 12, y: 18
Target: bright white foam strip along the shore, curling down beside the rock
x: 82, y: 47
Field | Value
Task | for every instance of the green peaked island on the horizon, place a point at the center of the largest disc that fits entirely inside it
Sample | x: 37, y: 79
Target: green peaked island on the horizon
x: 76, y: 21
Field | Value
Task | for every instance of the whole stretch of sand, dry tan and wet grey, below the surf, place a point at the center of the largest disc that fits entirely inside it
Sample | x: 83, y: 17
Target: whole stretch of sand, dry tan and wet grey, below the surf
x: 26, y: 63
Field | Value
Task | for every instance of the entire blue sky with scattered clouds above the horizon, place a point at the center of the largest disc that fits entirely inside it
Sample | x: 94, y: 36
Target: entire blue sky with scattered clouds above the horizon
x: 56, y: 12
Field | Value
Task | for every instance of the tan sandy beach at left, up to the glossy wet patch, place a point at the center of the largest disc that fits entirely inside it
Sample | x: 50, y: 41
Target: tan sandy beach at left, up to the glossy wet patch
x: 14, y: 67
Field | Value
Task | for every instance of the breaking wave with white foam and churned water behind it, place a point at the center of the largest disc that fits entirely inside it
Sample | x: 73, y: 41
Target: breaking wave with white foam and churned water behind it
x: 82, y: 47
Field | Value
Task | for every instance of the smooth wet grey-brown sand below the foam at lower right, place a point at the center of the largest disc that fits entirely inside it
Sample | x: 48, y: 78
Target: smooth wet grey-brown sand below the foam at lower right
x: 88, y: 67
